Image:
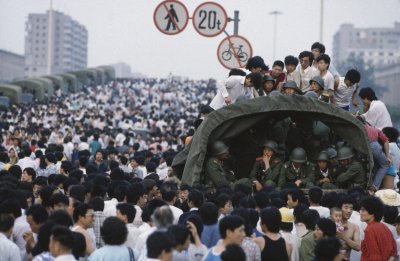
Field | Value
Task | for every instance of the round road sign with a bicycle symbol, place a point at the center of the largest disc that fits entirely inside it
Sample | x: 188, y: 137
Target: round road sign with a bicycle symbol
x: 234, y: 51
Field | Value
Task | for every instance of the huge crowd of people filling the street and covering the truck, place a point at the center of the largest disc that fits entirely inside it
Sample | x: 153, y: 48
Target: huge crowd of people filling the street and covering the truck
x: 87, y: 176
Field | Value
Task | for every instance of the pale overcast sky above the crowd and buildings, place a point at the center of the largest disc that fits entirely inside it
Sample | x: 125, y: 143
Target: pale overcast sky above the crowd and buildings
x: 124, y: 30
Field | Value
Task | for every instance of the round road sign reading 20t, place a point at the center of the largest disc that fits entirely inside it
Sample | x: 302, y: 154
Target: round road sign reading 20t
x: 209, y: 19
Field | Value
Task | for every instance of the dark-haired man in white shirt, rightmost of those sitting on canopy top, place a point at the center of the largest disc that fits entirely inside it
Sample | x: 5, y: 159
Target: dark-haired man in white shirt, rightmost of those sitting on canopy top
x: 347, y: 90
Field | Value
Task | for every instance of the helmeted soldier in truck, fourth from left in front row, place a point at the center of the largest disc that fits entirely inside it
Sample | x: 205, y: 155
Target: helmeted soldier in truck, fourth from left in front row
x: 324, y: 175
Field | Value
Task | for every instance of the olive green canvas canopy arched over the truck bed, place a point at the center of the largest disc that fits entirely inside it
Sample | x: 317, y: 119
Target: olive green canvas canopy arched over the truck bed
x: 230, y: 122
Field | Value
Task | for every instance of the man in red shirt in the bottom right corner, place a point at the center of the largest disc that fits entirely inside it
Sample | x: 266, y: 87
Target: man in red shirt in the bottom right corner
x: 378, y: 243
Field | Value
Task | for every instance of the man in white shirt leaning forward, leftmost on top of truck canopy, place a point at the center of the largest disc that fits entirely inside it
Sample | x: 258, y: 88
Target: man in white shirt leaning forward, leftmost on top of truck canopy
x: 233, y: 87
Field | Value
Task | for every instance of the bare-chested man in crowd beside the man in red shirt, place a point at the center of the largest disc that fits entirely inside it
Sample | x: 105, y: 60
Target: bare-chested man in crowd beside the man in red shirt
x: 351, y: 234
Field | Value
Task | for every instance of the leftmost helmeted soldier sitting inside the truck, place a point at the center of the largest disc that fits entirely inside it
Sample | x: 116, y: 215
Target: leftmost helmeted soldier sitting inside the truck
x: 216, y: 174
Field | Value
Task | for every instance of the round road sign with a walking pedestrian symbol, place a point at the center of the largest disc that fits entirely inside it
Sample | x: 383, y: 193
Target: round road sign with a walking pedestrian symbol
x: 171, y: 17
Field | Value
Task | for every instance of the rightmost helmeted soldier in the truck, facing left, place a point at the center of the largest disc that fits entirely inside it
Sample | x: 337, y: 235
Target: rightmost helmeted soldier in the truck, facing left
x: 350, y: 173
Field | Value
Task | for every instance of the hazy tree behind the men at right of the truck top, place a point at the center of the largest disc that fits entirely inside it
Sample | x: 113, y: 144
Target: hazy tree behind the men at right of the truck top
x: 366, y: 70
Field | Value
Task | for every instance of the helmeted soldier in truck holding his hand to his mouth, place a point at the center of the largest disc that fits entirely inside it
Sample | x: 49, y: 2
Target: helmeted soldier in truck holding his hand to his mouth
x: 266, y: 169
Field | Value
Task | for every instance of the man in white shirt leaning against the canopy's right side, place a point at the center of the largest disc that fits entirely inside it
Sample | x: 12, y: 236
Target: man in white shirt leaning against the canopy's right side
x: 375, y: 111
